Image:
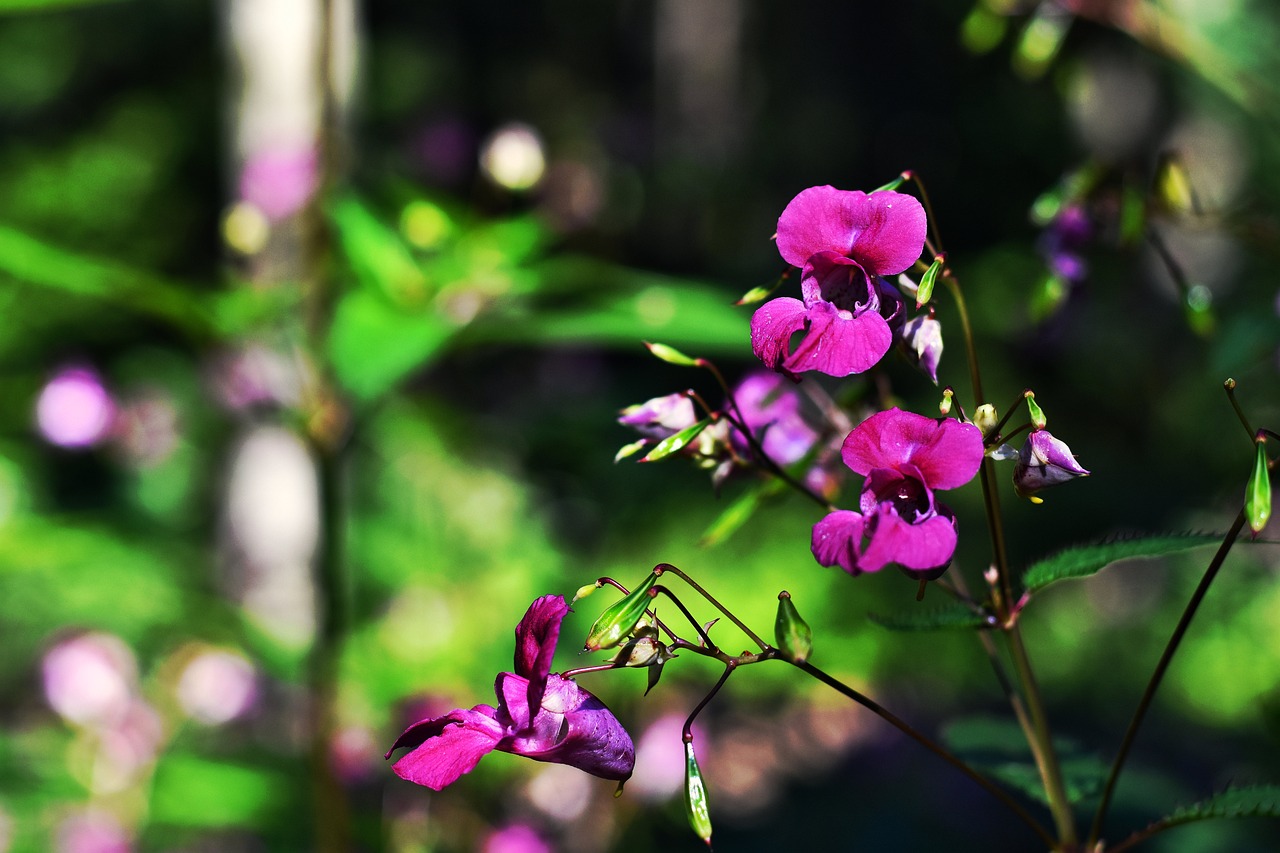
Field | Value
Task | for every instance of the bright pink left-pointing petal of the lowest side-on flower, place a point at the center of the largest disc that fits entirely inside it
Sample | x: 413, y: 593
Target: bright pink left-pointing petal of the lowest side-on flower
x: 447, y: 747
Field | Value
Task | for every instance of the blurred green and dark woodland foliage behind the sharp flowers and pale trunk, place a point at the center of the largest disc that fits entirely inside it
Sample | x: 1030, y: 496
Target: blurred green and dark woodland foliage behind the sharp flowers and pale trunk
x: 478, y: 345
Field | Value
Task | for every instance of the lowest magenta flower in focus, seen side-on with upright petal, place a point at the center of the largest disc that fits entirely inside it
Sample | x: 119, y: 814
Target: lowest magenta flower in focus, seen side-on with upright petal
x: 540, y: 715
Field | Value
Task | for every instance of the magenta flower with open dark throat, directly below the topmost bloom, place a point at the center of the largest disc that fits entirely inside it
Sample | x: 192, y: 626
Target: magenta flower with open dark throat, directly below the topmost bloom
x: 906, y: 459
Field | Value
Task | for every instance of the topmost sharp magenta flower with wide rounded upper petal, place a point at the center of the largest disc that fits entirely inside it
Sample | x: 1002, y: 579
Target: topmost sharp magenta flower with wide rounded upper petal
x: 843, y: 243
